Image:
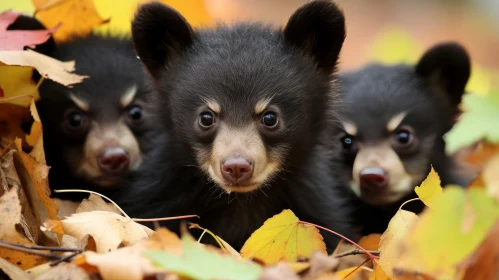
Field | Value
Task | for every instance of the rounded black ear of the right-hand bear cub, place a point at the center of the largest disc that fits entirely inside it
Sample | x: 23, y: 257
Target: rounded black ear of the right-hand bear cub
x: 448, y: 65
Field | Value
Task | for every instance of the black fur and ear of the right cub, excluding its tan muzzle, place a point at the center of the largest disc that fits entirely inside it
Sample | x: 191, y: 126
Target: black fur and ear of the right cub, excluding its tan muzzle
x: 430, y: 91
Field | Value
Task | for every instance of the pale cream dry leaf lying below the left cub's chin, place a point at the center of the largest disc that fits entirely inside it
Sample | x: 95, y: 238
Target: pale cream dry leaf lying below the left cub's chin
x: 108, y: 229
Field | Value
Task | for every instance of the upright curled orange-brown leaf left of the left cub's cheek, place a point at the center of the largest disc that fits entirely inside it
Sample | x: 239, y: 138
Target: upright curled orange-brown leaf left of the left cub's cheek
x: 34, y: 178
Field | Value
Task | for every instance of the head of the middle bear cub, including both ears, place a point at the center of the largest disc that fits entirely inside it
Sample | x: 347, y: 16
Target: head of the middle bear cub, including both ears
x: 248, y: 100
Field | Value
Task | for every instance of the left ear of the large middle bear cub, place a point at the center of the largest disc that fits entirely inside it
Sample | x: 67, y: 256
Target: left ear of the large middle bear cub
x: 159, y: 32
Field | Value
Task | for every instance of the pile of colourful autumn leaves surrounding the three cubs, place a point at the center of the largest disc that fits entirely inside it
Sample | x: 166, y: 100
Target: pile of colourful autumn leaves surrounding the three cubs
x: 42, y: 238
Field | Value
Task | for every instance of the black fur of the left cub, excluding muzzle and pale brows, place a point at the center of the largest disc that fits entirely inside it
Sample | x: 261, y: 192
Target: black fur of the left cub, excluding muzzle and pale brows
x: 113, y: 67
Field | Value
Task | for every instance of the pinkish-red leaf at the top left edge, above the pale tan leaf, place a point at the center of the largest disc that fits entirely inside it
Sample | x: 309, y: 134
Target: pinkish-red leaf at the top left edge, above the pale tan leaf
x: 18, y: 39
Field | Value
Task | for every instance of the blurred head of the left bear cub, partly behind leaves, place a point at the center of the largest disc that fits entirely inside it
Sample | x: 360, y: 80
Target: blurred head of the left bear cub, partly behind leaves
x: 97, y: 130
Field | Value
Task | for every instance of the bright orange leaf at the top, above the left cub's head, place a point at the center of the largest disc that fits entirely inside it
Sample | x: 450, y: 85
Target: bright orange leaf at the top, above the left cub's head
x: 70, y: 13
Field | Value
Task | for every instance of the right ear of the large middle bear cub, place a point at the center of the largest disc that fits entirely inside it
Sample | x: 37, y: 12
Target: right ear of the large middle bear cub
x: 318, y: 28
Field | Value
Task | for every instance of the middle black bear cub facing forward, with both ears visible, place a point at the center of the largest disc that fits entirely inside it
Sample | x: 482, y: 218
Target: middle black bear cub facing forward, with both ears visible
x: 251, y: 108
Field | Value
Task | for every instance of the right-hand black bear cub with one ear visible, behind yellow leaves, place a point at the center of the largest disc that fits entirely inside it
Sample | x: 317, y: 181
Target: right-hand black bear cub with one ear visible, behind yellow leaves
x: 394, y: 121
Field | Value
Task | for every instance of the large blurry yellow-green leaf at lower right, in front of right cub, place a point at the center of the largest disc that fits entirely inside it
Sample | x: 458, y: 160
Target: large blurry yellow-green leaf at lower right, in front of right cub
x: 448, y: 233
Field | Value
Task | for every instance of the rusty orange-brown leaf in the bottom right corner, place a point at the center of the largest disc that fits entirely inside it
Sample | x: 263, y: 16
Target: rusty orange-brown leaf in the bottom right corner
x: 484, y: 262
